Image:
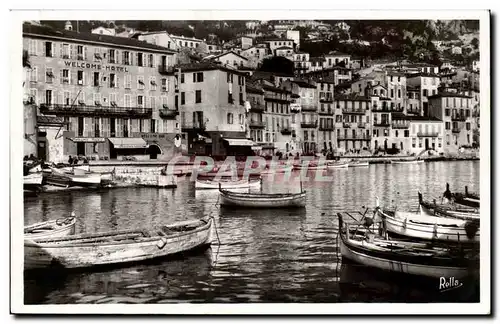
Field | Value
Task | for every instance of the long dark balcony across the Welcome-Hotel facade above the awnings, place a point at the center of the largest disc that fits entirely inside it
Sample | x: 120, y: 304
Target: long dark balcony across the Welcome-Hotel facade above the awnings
x: 93, y: 111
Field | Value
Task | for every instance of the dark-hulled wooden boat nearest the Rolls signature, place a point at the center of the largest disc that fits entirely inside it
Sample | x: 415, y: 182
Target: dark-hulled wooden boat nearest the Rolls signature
x: 419, y: 259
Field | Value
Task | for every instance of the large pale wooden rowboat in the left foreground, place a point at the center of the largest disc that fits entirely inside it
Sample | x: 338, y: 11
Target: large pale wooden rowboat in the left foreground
x: 88, y: 250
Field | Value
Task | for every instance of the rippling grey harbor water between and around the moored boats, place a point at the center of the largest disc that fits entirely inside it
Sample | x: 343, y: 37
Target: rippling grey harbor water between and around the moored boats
x: 263, y: 255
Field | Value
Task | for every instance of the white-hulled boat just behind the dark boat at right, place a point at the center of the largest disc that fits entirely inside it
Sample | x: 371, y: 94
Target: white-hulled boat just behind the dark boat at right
x: 424, y: 227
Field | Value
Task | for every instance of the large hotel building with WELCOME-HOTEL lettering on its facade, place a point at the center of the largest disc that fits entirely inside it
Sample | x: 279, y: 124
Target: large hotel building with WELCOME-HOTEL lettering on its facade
x: 111, y: 93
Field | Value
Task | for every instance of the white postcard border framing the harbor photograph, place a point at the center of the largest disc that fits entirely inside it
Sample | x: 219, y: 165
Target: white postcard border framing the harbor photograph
x: 16, y: 132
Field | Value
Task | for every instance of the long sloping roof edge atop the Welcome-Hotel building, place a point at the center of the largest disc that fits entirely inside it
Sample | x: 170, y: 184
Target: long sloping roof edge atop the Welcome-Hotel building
x: 49, y: 32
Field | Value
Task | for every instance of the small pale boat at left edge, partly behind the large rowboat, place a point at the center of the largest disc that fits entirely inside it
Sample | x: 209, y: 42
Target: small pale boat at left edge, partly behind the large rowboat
x: 55, y: 228
